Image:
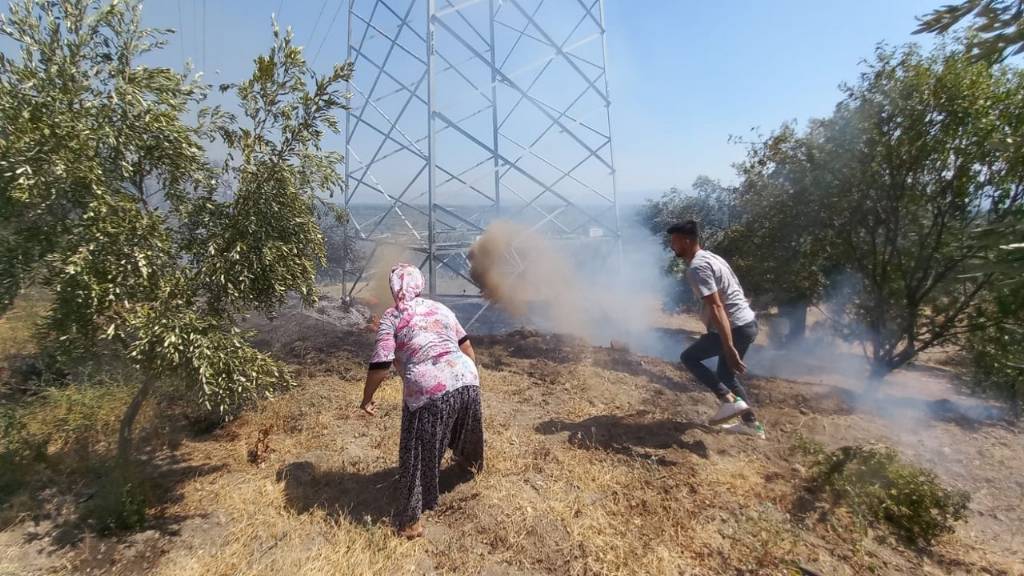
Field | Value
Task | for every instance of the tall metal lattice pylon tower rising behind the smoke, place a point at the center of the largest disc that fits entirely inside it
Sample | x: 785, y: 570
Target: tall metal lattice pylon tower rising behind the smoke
x: 467, y: 111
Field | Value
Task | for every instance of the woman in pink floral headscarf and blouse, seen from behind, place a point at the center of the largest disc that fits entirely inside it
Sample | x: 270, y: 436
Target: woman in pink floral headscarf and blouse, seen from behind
x: 441, y: 393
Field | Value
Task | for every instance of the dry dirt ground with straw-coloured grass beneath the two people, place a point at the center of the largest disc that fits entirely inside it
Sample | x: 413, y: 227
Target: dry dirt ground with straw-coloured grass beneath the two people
x: 598, y: 463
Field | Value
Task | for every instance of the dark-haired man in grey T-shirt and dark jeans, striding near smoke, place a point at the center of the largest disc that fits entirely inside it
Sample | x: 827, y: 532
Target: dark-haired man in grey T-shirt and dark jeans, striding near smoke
x: 732, y: 324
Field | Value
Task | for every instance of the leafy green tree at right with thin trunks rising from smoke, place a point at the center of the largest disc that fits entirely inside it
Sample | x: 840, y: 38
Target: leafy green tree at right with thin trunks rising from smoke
x: 908, y: 173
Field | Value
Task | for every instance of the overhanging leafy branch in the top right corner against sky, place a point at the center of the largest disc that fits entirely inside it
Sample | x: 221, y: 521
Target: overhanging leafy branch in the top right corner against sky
x: 997, y: 26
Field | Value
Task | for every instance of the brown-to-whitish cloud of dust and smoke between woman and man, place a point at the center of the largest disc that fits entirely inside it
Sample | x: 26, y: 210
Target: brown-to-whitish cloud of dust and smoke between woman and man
x: 589, y: 290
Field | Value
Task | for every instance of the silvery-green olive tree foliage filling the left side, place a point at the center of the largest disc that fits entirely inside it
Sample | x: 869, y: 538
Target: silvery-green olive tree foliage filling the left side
x: 108, y: 200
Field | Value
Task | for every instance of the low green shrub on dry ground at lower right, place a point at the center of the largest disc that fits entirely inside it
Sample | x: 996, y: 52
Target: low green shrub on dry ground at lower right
x: 878, y: 486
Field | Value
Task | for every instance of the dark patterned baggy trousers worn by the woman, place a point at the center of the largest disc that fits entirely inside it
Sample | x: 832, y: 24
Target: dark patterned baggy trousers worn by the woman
x: 454, y: 421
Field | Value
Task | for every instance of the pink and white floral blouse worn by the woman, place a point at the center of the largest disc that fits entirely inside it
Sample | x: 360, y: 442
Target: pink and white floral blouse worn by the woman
x: 423, y: 341
